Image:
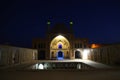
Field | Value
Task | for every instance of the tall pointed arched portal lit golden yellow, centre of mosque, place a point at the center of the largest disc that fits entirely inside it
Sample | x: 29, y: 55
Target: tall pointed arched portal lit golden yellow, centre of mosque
x: 60, y: 46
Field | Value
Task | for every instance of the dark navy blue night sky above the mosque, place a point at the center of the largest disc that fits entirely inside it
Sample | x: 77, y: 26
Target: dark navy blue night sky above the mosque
x: 23, y: 20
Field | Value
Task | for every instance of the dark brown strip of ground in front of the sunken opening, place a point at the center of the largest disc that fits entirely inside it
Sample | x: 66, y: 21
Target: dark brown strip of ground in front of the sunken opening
x: 111, y: 74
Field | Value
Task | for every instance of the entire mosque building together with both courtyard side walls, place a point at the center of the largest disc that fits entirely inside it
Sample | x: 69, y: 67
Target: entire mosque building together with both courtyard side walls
x: 60, y: 43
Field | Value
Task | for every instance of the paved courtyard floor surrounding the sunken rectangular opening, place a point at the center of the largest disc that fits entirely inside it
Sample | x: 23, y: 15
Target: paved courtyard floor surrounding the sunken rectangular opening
x: 17, y: 72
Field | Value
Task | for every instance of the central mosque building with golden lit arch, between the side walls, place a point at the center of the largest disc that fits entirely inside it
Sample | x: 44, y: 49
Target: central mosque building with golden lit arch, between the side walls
x: 60, y: 43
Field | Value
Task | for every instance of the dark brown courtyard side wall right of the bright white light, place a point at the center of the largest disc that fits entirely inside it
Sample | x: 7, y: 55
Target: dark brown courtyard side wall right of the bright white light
x: 108, y: 54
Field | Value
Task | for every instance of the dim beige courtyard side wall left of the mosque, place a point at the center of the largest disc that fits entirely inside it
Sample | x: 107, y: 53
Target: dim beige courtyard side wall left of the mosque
x: 15, y: 55
